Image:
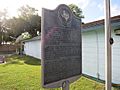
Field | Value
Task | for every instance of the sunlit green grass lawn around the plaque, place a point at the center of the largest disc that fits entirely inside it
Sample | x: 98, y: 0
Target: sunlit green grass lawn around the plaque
x: 23, y: 73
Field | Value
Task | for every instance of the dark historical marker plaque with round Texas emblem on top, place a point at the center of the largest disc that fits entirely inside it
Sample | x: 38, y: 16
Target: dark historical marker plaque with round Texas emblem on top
x: 61, y: 46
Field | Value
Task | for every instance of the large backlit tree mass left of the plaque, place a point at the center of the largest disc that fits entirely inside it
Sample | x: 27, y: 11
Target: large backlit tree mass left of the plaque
x: 28, y: 21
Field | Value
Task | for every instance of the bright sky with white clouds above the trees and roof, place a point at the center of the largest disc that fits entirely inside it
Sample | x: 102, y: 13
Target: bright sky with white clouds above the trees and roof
x: 92, y: 9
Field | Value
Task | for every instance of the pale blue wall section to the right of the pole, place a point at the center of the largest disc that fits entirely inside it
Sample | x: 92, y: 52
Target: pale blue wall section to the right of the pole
x: 116, y: 59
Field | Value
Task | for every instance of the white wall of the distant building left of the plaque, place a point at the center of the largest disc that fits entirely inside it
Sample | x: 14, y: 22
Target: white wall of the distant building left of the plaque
x: 32, y: 48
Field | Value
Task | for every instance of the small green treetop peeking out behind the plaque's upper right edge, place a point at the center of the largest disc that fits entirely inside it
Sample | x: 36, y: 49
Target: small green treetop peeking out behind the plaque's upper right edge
x: 76, y: 10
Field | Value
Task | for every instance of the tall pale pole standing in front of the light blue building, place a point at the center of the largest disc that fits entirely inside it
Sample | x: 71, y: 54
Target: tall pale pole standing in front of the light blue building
x: 108, y: 60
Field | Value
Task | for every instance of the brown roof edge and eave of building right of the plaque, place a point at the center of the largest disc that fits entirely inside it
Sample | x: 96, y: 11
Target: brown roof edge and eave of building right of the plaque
x: 90, y: 25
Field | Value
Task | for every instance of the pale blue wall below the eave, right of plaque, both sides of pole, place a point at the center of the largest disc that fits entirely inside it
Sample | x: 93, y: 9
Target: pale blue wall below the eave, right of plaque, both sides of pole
x: 94, y: 56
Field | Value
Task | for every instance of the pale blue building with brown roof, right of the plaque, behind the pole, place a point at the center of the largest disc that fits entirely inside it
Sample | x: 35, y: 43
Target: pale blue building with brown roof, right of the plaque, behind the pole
x: 93, y: 49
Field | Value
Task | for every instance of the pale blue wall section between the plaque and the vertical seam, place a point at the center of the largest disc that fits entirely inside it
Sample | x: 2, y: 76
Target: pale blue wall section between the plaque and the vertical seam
x: 89, y: 53
